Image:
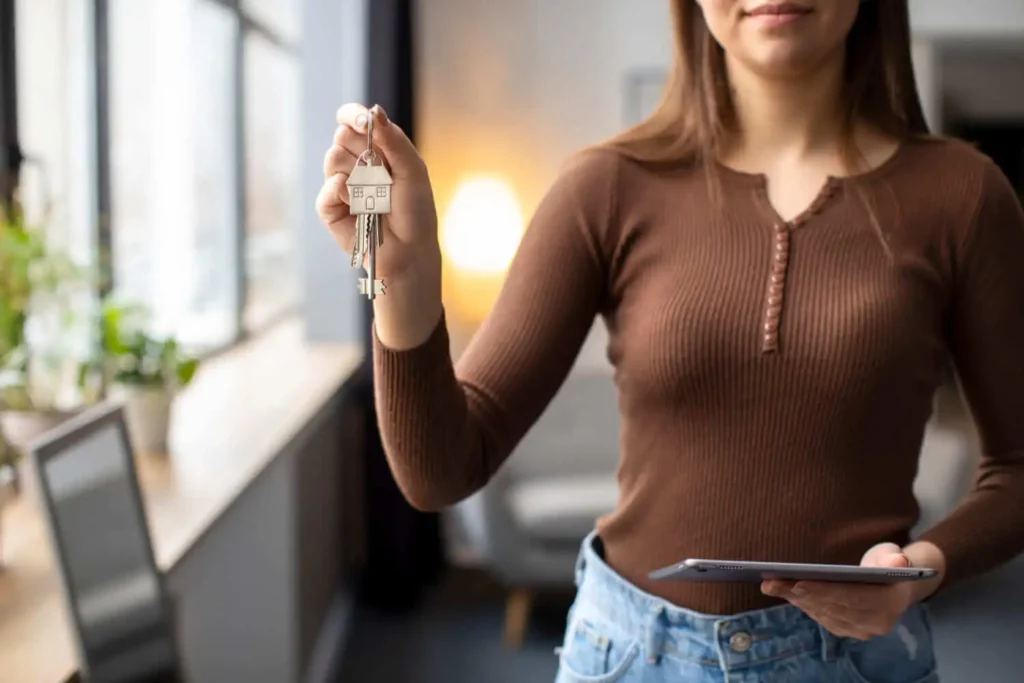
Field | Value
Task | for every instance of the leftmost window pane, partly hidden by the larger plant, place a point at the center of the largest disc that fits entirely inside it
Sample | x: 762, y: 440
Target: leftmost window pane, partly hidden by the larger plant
x: 58, y: 181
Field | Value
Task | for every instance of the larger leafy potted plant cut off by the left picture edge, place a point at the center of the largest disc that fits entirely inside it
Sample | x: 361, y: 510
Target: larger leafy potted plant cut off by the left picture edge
x: 38, y: 286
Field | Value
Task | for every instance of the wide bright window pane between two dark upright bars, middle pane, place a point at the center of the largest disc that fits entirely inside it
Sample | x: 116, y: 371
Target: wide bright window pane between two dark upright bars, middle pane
x: 174, y: 157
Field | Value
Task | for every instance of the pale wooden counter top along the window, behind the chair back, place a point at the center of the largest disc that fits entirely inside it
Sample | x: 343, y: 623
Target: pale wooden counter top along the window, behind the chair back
x: 241, y: 413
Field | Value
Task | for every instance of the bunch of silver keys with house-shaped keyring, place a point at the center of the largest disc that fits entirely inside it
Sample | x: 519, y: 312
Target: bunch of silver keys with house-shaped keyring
x: 369, y: 197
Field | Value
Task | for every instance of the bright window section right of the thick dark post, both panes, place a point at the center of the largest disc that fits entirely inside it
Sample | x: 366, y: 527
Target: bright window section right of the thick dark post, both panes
x: 182, y: 174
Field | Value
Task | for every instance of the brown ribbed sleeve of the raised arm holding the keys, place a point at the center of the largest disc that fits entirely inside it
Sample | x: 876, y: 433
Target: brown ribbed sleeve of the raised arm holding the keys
x: 447, y: 431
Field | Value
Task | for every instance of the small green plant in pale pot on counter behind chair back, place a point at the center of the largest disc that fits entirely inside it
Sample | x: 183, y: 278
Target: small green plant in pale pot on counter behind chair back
x: 145, y: 371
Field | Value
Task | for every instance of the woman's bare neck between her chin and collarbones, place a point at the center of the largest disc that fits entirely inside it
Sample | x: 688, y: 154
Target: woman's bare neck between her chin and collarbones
x: 787, y: 119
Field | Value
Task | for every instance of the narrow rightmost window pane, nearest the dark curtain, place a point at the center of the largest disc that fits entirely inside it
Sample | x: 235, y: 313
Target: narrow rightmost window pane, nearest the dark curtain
x: 274, y: 199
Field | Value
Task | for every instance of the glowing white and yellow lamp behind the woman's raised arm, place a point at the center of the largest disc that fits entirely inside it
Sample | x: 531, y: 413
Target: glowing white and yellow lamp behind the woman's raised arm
x: 481, y: 233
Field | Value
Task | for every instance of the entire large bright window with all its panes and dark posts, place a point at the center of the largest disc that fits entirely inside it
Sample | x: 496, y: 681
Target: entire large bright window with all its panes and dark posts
x: 189, y: 131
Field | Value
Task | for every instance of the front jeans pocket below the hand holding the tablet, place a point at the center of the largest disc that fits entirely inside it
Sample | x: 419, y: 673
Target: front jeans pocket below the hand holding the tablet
x: 905, y: 656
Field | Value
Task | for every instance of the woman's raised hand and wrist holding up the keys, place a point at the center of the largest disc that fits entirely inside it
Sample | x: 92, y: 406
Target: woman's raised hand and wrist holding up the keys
x: 410, y: 261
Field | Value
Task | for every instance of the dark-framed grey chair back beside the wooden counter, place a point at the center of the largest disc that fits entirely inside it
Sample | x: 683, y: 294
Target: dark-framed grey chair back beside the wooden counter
x: 114, y: 591
